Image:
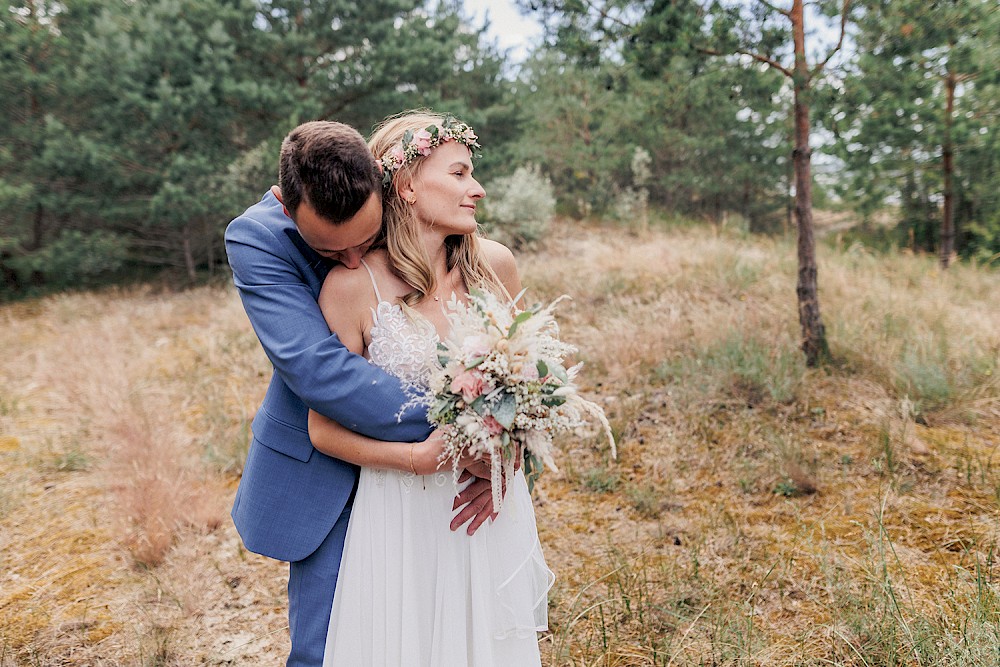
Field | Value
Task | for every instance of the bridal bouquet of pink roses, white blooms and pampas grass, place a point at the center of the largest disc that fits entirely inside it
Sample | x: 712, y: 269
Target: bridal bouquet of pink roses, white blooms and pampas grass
x: 503, y: 384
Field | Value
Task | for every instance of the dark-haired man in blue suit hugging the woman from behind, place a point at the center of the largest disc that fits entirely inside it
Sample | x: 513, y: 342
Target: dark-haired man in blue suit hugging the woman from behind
x: 293, y: 502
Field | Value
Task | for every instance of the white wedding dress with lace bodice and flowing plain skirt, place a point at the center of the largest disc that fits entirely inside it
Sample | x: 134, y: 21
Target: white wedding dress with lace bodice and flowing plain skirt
x: 412, y: 592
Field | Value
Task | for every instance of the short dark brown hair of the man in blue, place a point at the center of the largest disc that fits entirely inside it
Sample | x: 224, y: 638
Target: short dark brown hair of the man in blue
x: 328, y: 165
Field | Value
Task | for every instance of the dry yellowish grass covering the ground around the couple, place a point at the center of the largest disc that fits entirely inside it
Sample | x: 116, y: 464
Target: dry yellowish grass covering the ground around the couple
x: 760, y: 513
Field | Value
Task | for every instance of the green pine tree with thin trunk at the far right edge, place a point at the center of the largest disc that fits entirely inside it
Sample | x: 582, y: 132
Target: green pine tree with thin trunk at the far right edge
x: 919, y: 109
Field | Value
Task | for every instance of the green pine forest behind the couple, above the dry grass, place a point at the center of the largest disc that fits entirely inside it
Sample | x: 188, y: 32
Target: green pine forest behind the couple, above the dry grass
x: 132, y: 131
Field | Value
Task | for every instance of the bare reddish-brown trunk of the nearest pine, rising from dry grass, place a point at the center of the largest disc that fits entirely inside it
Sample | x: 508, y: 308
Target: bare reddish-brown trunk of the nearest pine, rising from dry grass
x: 813, y: 334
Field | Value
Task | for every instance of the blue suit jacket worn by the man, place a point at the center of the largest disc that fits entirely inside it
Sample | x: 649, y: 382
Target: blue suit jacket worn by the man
x: 290, y: 494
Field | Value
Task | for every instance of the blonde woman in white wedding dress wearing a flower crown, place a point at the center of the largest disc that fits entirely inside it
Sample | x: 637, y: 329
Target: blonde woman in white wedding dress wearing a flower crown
x: 411, y: 591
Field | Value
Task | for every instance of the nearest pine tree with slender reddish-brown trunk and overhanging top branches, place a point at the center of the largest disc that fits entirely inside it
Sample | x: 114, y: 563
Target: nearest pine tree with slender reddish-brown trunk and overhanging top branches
x: 758, y: 33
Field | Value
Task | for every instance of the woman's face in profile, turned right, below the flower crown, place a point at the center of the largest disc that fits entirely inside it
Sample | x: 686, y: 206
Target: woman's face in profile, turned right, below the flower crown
x: 445, y: 192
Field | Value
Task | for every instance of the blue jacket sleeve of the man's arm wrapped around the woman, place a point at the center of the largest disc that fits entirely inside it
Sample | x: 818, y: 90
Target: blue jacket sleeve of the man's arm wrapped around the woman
x: 314, y: 364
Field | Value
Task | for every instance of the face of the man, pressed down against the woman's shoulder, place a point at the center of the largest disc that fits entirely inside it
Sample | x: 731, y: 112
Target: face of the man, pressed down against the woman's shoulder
x: 347, y: 242
